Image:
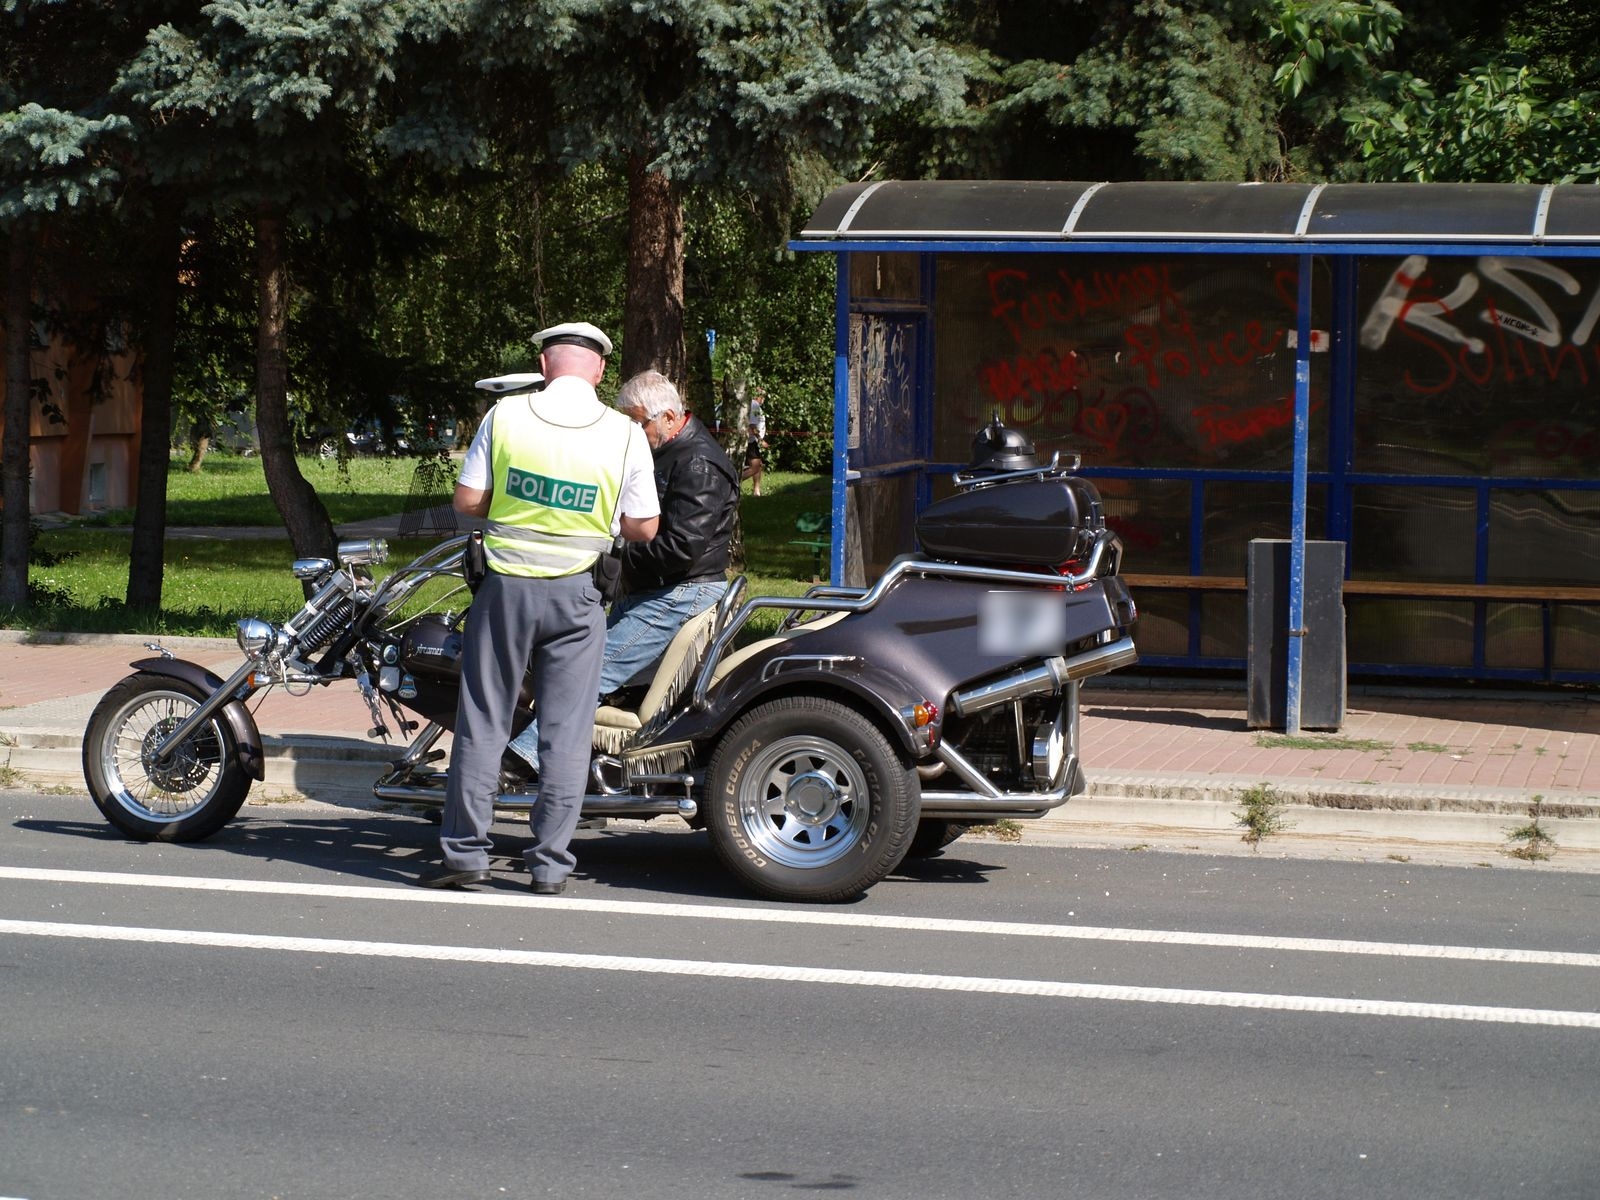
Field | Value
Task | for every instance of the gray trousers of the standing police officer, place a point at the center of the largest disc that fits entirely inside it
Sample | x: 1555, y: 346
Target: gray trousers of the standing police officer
x: 561, y: 626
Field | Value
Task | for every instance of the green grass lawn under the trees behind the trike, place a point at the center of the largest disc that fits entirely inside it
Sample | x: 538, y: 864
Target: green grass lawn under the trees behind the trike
x: 210, y: 583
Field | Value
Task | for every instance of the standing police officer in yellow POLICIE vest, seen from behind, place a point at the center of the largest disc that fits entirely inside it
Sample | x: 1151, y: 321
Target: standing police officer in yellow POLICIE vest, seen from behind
x: 558, y: 474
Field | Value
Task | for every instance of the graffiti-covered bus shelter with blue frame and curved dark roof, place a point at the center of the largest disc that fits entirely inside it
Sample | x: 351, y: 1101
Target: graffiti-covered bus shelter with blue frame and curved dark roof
x: 1410, y: 370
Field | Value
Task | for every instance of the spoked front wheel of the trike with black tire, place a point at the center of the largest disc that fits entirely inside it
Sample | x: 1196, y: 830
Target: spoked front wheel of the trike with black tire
x: 188, y: 799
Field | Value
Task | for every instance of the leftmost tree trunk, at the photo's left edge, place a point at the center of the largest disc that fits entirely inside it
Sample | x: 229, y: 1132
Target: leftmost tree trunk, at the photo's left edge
x: 18, y: 414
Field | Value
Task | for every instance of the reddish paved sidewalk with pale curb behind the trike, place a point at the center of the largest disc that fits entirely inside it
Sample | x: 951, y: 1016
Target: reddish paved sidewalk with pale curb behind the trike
x: 1409, y: 777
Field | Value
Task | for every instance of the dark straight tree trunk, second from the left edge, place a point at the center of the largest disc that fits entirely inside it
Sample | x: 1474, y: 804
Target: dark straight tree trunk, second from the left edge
x: 148, y: 554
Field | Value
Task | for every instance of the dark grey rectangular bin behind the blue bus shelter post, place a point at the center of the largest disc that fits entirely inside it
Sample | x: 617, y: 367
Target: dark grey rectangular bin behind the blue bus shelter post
x: 1268, y: 636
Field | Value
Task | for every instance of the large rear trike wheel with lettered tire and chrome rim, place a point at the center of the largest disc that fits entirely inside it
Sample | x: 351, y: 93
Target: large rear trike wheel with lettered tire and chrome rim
x: 809, y: 801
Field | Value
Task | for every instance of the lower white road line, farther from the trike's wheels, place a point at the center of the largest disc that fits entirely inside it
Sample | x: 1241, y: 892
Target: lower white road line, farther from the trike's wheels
x: 812, y: 975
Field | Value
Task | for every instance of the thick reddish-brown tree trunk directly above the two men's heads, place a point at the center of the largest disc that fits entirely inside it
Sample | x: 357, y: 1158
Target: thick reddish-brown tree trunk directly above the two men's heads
x: 654, y: 311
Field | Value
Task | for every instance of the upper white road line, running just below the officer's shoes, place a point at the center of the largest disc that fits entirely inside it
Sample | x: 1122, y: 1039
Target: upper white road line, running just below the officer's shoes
x: 1487, y: 954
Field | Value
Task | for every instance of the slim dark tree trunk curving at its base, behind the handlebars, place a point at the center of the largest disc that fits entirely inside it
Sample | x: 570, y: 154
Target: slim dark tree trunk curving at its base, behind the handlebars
x: 305, y: 516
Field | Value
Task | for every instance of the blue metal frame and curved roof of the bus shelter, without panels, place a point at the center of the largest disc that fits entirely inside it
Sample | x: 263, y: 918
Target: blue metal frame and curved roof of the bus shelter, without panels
x: 1340, y: 223
